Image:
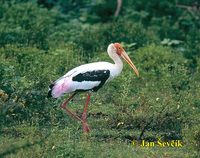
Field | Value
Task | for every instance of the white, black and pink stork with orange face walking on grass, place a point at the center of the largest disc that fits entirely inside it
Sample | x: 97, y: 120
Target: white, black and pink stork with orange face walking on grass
x: 90, y: 77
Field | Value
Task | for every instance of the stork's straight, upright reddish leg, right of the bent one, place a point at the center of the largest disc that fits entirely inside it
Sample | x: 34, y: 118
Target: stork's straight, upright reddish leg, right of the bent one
x: 86, y: 128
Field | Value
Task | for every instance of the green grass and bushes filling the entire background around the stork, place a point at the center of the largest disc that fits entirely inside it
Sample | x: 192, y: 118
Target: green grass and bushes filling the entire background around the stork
x: 41, y: 40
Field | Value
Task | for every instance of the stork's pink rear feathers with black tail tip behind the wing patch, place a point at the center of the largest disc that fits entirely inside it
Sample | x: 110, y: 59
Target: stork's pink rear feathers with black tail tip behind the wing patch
x: 58, y: 88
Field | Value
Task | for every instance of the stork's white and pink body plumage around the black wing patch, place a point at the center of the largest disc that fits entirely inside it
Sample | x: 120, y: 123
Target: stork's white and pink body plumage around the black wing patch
x: 65, y: 84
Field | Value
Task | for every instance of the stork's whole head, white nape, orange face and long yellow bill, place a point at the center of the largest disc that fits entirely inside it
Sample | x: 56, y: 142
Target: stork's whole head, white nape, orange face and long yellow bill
x: 116, y: 48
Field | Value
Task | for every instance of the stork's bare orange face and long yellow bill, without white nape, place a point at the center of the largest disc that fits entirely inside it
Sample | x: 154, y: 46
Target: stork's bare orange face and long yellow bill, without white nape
x: 121, y: 52
